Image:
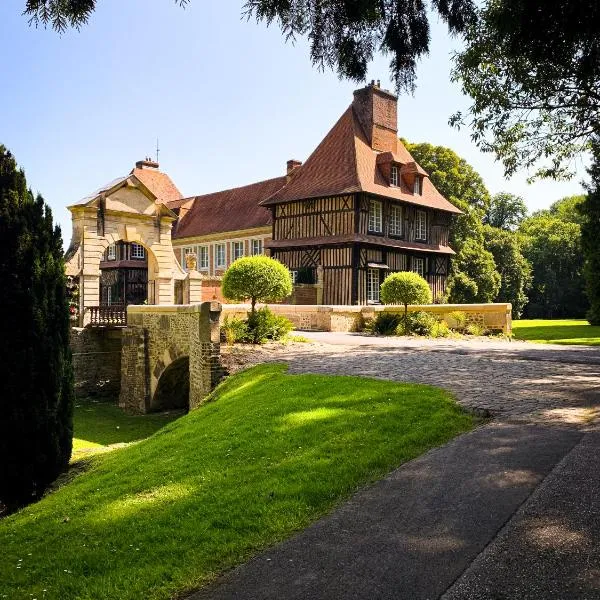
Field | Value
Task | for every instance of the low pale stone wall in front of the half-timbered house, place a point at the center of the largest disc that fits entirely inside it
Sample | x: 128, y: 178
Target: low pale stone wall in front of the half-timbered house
x: 496, y: 317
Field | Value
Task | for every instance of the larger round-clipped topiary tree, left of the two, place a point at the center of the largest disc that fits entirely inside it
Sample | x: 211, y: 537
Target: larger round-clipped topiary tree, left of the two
x: 258, y: 279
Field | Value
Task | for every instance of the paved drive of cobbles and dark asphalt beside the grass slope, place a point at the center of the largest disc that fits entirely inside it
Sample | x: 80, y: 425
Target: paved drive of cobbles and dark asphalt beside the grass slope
x: 510, y: 510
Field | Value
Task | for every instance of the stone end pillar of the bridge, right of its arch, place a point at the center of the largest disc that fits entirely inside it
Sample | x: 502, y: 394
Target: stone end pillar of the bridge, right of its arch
x: 205, y: 367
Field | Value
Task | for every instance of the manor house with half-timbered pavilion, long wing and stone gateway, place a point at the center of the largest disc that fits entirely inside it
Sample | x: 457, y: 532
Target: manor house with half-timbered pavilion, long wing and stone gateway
x: 359, y: 208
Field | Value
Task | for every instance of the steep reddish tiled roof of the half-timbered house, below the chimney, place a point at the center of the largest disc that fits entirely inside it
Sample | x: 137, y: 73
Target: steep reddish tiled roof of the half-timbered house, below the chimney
x: 344, y: 162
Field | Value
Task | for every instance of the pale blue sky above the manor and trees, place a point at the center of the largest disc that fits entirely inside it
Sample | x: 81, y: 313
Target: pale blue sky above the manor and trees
x: 229, y: 100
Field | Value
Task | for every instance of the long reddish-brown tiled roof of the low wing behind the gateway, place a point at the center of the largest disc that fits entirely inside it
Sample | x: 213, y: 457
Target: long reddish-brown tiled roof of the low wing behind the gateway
x: 229, y: 210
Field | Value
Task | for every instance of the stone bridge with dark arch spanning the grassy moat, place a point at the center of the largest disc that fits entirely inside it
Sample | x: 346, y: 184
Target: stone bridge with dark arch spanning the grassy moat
x: 169, y: 356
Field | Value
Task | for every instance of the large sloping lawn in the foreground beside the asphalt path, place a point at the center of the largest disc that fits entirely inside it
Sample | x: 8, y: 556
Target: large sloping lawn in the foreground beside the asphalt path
x: 271, y: 453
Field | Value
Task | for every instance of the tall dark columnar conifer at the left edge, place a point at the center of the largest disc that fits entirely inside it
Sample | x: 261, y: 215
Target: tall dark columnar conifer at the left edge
x: 36, y: 388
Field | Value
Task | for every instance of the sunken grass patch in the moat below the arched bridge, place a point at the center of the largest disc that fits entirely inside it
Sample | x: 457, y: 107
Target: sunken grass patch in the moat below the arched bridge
x: 99, y: 424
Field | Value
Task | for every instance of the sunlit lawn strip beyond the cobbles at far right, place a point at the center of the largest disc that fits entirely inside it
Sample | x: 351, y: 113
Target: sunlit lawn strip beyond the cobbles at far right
x: 557, y: 331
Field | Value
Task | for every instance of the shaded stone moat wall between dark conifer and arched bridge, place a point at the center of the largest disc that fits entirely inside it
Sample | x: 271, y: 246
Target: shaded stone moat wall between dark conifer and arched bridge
x: 96, y: 361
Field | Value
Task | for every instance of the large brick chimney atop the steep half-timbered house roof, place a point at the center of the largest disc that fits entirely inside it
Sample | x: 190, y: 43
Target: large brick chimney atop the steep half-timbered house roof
x: 377, y: 112
